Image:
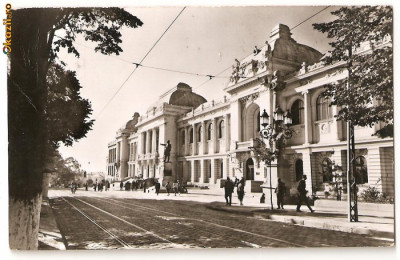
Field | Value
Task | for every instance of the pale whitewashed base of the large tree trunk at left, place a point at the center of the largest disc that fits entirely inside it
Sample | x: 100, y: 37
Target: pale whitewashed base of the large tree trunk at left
x: 24, y: 217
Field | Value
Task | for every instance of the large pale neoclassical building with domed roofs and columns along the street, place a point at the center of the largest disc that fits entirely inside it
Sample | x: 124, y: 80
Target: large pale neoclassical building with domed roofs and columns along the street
x: 211, y: 139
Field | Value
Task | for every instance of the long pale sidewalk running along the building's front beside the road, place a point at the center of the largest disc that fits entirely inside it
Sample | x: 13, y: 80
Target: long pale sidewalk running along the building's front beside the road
x: 370, y: 223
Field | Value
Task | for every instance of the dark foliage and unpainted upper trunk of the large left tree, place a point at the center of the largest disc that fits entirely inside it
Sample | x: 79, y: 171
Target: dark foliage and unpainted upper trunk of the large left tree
x: 44, y: 102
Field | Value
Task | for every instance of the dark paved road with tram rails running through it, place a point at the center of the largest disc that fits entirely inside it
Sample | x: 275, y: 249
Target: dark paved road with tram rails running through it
x: 103, y: 222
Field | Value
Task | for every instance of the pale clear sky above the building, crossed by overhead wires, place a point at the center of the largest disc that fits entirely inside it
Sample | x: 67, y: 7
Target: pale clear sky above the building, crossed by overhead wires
x: 203, y: 40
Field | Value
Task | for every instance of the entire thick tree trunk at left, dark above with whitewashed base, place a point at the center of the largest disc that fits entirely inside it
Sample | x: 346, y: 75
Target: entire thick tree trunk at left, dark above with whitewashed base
x: 27, y: 131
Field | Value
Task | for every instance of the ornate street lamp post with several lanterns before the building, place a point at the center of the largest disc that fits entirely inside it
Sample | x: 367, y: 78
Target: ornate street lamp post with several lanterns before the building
x: 276, y: 135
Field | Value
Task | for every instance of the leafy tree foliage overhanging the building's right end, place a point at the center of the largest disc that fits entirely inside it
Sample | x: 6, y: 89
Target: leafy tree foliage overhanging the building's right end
x: 366, y: 96
